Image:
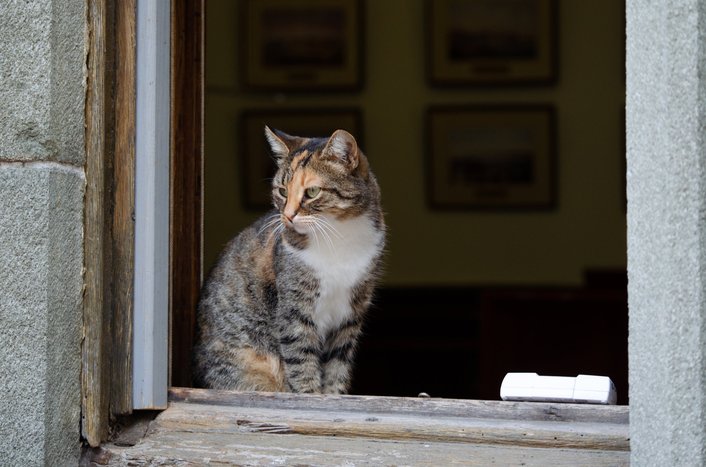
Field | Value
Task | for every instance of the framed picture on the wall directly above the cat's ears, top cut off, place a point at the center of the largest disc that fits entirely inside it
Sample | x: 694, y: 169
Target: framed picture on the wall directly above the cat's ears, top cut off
x: 303, y: 45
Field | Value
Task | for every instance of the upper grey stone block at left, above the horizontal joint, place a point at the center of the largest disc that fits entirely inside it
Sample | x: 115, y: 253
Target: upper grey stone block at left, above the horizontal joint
x: 41, y: 99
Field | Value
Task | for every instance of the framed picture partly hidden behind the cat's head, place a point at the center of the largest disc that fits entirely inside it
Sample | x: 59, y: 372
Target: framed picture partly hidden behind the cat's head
x: 257, y: 164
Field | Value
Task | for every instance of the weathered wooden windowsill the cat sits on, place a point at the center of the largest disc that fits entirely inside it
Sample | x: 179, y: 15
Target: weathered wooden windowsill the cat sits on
x: 203, y: 427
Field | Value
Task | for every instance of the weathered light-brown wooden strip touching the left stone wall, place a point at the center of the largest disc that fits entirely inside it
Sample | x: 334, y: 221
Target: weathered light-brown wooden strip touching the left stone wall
x: 95, y: 371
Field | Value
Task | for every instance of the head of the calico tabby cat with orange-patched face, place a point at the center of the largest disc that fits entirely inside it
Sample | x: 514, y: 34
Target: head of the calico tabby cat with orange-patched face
x: 320, y: 177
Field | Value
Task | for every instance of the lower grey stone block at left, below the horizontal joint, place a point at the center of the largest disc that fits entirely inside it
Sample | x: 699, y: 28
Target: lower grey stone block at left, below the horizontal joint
x: 40, y: 310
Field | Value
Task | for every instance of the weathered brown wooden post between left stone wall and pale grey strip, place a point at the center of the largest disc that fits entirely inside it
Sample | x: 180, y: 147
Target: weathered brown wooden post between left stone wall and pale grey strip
x: 109, y: 216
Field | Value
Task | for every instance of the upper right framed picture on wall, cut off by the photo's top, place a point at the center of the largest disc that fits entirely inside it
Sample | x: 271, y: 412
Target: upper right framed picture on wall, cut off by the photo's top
x: 491, y: 42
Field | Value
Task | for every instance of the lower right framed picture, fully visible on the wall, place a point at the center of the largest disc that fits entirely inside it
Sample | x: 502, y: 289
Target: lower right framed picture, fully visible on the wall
x: 491, y: 157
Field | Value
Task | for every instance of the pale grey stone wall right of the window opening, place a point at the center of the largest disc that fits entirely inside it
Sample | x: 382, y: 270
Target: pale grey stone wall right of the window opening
x: 666, y: 149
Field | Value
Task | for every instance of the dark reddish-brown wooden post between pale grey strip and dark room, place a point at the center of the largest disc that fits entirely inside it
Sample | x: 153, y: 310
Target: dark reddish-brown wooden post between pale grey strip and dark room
x: 188, y: 29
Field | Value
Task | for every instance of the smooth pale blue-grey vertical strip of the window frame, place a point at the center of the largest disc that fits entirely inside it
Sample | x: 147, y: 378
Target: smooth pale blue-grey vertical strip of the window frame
x: 152, y: 206
